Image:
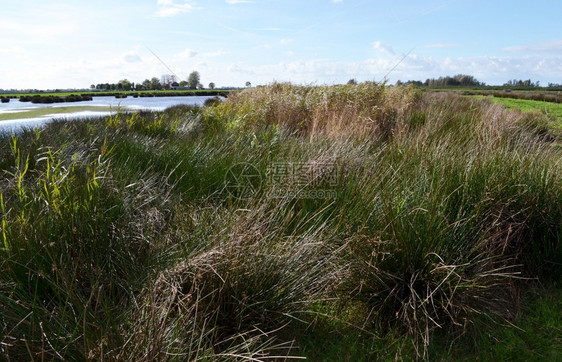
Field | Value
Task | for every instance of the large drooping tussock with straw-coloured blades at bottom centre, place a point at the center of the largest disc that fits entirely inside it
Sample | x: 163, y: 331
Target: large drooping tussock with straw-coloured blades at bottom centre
x: 231, y: 293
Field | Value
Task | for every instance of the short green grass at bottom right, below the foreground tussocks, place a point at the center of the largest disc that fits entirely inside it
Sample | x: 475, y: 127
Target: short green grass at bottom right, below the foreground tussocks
x: 533, y: 335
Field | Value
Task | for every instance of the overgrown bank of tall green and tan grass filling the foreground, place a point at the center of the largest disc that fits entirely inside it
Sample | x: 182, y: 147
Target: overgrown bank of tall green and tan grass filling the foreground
x: 358, y: 222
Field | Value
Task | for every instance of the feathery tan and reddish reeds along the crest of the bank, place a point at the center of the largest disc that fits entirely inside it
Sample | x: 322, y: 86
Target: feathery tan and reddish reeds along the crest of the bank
x: 364, y: 110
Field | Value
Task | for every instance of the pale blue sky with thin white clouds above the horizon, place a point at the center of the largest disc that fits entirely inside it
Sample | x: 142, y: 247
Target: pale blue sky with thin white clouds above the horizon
x: 49, y: 44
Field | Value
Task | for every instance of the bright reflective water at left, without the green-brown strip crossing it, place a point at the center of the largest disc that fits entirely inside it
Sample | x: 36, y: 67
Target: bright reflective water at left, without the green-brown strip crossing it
x: 126, y: 104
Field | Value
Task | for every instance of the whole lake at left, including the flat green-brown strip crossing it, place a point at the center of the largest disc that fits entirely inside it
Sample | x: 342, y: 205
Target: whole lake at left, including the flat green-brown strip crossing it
x: 11, y: 113
